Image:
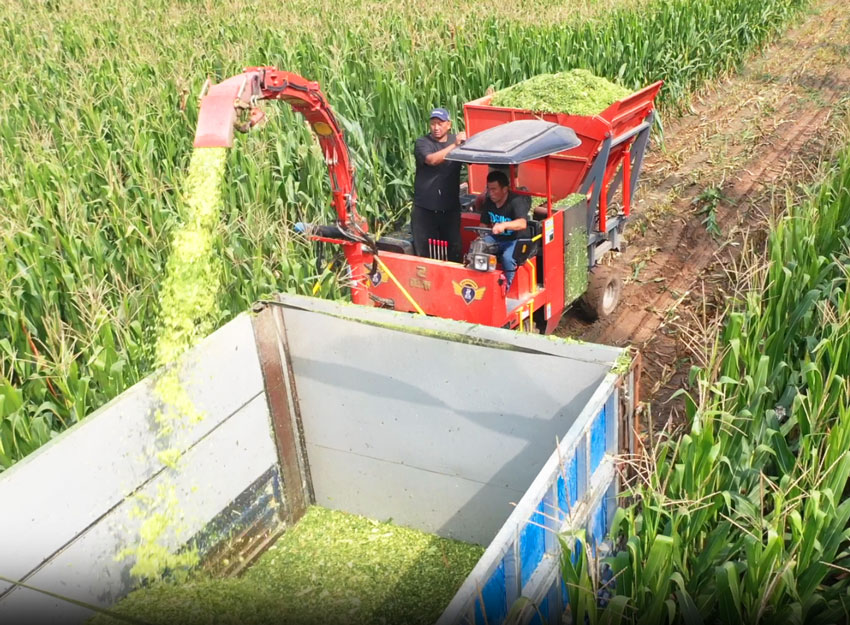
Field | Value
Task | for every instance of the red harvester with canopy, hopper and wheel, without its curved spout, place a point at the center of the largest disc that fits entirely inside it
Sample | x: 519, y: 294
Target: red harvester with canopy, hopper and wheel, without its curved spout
x: 565, y: 242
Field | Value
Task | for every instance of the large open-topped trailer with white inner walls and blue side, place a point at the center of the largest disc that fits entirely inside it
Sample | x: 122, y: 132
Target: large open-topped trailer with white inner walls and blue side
x: 301, y: 408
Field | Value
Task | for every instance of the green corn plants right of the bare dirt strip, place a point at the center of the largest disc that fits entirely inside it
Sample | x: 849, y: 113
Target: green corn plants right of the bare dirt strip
x: 744, y: 519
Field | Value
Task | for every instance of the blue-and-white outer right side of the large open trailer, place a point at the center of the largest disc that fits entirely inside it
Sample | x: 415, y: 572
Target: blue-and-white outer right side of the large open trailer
x: 576, y: 489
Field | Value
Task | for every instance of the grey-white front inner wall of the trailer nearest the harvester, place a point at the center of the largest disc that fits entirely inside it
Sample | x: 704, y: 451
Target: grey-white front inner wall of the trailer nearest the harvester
x: 435, y: 424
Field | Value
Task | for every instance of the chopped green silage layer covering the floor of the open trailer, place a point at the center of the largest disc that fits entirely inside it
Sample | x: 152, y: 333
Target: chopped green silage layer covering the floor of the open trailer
x: 330, y: 567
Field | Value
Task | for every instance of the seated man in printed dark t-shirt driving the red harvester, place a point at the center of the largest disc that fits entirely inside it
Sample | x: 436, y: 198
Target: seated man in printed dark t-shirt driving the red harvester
x: 506, y: 212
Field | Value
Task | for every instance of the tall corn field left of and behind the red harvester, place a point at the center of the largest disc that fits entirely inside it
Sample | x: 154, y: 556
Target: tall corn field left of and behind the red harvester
x: 97, y: 121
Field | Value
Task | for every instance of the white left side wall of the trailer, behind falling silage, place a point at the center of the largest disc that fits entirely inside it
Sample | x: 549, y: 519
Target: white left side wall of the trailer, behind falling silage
x: 65, y: 509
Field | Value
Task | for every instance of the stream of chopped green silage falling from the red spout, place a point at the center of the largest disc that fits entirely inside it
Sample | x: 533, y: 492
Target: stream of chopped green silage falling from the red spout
x: 189, y: 313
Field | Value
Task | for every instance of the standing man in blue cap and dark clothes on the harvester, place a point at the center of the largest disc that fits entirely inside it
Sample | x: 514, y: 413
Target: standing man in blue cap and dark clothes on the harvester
x: 436, y: 188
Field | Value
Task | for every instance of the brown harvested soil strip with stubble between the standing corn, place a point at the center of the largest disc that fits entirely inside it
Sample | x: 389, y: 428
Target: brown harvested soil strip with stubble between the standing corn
x: 709, y: 191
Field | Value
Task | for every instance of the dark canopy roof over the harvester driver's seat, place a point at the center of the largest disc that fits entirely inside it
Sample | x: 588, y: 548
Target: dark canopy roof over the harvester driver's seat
x: 515, y: 142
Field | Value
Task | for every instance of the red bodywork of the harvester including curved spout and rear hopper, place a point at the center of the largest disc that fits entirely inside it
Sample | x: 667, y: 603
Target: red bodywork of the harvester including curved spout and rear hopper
x: 610, y: 156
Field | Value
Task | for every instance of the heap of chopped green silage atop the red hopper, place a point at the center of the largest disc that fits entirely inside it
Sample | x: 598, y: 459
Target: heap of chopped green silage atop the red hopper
x: 576, y: 92
